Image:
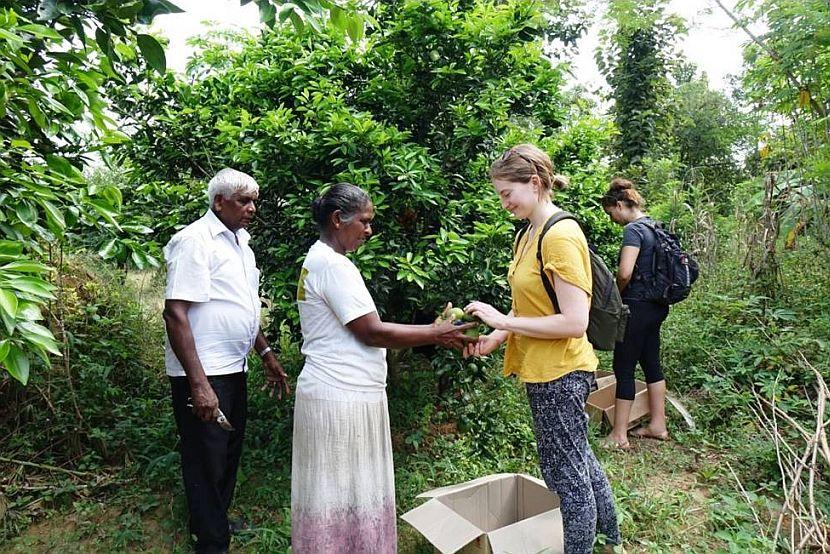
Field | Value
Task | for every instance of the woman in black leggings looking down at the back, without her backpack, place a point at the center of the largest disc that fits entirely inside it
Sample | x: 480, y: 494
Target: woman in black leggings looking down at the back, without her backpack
x: 638, y: 282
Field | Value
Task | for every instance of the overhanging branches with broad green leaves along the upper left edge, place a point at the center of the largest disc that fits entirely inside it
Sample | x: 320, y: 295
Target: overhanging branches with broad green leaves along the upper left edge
x: 55, y: 59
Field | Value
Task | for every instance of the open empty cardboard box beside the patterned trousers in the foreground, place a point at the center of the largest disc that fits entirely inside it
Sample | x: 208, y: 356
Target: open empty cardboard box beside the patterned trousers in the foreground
x: 498, y: 514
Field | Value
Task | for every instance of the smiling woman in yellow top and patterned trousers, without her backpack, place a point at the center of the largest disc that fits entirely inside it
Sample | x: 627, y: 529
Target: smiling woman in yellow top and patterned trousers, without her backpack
x: 549, y: 351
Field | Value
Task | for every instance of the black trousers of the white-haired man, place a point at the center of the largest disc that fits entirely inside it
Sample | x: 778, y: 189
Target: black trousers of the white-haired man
x: 210, y: 457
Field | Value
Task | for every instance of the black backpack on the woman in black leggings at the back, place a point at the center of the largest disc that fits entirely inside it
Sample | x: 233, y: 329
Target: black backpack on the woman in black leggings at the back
x: 673, y: 271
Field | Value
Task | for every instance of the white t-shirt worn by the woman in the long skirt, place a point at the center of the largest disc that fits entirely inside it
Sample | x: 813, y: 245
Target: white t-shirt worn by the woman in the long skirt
x: 330, y: 294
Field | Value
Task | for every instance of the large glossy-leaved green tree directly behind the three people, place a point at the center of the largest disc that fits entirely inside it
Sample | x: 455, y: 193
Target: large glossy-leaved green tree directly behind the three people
x: 415, y: 117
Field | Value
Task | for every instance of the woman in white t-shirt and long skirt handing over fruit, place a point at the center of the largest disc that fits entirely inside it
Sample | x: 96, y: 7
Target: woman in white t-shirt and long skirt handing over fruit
x: 342, y: 478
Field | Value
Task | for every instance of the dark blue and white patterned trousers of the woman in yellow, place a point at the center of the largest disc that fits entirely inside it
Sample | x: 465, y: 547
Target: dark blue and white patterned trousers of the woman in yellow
x: 568, y: 464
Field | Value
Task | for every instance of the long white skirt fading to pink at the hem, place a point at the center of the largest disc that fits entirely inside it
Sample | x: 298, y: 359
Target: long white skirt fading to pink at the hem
x: 342, y: 475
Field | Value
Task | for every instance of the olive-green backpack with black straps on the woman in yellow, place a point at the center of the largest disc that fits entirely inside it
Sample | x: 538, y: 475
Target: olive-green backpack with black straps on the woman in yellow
x: 608, y: 315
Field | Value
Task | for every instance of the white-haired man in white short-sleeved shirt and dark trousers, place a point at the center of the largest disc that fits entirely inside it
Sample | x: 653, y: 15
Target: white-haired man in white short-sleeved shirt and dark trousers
x: 211, y: 313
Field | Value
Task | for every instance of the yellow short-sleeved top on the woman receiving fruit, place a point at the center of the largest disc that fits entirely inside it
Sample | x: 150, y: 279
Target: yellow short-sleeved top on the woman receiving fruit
x: 564, y: 252
